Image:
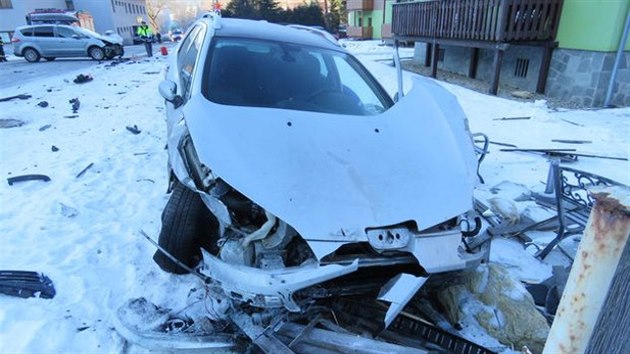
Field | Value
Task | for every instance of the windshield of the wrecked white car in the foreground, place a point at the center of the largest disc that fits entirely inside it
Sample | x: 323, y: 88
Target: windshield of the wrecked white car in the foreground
x: 248, y: 72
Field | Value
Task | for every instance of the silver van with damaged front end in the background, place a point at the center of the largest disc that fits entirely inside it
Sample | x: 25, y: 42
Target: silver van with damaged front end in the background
x: 50, y: 41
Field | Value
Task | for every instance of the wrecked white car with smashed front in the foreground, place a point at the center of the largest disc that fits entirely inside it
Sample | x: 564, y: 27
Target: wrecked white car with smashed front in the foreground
x: 295, y: 177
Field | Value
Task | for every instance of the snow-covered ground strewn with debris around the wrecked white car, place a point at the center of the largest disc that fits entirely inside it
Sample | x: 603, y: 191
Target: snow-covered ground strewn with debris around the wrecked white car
x: 83, y: 230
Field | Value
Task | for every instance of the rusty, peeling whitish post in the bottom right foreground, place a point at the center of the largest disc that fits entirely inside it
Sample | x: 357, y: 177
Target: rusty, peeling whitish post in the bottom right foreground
x: 595, y: 265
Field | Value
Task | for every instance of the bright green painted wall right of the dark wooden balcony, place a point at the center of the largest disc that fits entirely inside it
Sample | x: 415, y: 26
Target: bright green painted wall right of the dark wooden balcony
x: 592, y: 24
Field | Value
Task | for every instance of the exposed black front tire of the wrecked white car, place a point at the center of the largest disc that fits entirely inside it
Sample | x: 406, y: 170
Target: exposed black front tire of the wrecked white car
x: 187, y: 225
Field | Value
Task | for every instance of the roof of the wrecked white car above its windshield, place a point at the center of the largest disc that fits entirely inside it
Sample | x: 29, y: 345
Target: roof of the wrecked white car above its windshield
x: 241, y: 28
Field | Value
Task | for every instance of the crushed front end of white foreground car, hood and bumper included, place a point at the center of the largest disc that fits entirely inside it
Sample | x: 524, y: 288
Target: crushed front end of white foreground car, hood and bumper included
x: 305, y: 199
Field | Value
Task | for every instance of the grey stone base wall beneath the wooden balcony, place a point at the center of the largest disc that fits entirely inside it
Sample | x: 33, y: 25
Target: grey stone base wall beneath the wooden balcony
x: 578, y: 77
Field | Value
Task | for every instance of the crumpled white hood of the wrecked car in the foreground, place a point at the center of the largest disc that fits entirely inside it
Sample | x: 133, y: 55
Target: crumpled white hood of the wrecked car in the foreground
x: 332, y: 176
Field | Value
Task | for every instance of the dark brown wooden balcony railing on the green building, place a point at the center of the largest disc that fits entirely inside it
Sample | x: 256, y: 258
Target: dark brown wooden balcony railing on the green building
x: 482, y: 20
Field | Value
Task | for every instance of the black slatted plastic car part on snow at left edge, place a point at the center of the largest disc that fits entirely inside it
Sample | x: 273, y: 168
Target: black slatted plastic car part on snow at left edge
x: 26, y: 284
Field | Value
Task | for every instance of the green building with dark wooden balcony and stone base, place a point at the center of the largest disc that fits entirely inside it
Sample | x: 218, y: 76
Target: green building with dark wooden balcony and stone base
x: 566, y: 49
